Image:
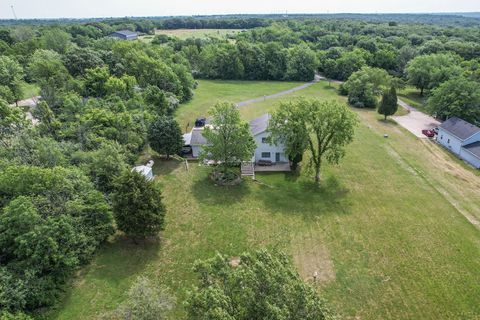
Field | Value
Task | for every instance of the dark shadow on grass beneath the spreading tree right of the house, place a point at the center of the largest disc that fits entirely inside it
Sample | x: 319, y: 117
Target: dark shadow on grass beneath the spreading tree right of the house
x: 305, y: 198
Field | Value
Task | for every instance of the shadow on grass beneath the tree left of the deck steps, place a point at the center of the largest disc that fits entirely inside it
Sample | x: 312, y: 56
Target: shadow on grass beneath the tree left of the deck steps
x: 207, y: 192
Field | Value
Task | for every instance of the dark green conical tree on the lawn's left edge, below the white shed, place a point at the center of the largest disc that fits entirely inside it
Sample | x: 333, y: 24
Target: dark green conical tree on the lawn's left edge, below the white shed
x: 137, y: 205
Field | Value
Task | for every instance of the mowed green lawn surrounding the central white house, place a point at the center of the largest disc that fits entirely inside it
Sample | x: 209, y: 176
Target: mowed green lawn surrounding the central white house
x: 386, y: 230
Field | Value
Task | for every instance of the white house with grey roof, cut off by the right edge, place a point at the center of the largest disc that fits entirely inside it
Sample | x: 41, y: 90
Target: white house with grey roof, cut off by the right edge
x: 462, y: 138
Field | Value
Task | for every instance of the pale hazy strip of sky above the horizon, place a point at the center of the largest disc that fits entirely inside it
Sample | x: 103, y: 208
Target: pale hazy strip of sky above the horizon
x: 120, y: 8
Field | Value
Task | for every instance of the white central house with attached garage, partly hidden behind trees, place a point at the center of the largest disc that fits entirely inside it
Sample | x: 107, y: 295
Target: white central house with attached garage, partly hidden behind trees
x: 265, y: 149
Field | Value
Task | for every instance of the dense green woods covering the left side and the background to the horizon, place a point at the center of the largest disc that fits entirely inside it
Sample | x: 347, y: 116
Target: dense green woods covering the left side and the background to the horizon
x: 103, y: 99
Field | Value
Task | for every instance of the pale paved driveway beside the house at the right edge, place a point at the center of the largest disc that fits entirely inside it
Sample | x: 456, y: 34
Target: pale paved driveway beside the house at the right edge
x: 415, y: 121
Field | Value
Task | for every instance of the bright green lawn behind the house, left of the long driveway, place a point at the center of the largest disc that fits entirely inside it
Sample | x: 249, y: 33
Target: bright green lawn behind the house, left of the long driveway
x: 210, y: 92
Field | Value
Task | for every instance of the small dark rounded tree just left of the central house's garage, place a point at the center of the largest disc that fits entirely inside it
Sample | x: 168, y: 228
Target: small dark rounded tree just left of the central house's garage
x: 165, y: 136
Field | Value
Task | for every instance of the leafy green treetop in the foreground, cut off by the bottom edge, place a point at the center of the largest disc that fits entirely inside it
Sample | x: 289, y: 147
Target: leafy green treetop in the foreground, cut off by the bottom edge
x: 257, y: 285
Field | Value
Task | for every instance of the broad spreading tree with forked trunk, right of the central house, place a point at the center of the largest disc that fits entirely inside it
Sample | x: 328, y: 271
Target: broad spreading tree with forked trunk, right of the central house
x: 323, y: 128
